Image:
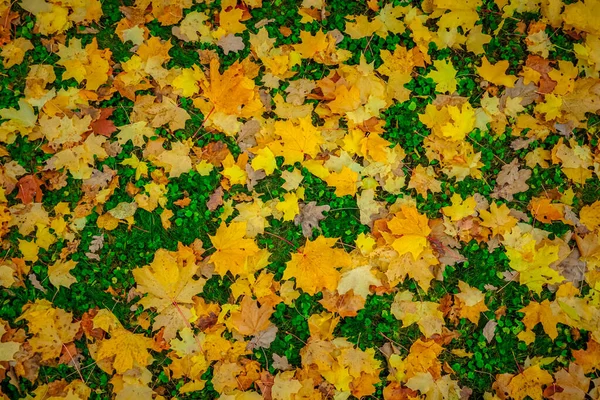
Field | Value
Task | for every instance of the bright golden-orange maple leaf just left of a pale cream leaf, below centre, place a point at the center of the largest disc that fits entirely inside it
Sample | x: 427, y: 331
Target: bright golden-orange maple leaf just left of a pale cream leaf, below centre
x: 314, y: 266
